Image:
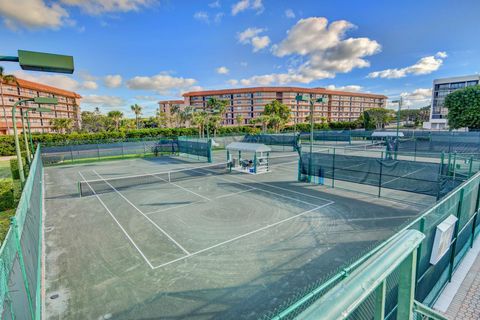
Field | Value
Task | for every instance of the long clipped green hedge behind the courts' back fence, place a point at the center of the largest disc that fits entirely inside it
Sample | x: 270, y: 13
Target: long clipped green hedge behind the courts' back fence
x: 7, y: 144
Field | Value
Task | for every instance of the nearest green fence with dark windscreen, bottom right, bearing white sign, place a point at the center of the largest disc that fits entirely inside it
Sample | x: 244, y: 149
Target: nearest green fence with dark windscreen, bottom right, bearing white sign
x: 463, y: 203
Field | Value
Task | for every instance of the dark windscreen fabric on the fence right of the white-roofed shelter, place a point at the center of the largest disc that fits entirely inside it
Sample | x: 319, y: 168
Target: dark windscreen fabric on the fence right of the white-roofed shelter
x: 411, y: 176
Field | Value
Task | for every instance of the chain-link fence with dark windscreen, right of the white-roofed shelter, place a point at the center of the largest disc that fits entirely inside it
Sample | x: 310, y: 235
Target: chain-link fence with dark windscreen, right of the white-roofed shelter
x: 373, y: 168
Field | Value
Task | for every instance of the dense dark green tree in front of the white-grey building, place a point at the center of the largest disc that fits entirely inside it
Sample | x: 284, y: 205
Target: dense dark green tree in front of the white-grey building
x: 464, y: 108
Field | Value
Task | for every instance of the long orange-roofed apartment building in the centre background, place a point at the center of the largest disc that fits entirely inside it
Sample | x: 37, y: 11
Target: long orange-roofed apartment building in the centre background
x: 249, y: 103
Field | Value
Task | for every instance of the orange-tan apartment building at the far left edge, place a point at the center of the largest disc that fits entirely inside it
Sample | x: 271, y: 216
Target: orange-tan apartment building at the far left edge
x: 68, y: 106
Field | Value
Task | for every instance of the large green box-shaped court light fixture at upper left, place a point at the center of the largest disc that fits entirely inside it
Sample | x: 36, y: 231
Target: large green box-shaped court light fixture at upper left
x: 39, y: 61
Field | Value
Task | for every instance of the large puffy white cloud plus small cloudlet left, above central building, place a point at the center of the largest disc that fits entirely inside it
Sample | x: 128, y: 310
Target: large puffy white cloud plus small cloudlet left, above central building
x: 321, y: 49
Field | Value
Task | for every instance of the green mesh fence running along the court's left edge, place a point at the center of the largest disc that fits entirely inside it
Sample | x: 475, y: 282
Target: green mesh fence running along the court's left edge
x: 20, y: 253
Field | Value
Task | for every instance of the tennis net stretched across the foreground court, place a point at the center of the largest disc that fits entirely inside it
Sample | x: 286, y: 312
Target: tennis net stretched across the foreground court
x: 99, y: 186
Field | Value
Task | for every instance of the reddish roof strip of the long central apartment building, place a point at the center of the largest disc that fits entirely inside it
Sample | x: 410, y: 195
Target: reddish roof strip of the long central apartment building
x: 281, y: 89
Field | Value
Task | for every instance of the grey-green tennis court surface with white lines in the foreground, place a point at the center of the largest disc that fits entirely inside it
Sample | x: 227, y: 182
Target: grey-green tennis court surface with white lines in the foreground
x: 208, y: 245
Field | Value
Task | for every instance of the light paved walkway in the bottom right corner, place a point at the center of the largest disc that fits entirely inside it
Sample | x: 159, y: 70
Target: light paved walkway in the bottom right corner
x: 461, y: 297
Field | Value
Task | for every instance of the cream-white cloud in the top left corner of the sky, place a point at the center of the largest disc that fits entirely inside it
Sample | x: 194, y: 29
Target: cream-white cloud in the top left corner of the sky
x: 32, y: 14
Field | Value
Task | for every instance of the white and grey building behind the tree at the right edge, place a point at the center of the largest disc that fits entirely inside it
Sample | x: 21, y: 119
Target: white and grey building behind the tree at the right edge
x: 441, y: 88
